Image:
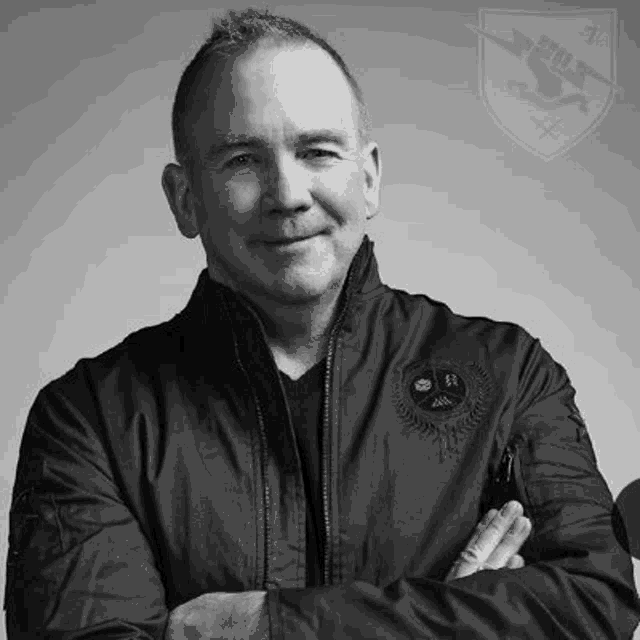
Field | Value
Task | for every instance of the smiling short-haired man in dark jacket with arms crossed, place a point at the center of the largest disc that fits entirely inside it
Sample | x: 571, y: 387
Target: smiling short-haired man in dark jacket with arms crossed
x: 304, y: 452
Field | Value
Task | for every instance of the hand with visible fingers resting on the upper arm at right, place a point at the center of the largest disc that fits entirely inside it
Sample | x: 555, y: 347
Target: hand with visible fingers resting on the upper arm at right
x: 495, y: 543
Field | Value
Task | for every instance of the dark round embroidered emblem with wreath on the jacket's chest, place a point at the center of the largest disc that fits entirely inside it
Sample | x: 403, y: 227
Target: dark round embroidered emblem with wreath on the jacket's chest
x: 443, y: 398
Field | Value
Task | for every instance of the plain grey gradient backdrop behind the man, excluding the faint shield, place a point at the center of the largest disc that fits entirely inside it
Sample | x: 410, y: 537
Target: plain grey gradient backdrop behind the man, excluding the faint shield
x: 90, y: 251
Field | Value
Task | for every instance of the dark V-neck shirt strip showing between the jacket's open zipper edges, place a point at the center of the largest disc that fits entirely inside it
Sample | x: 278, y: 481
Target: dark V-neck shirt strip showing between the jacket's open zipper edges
x: 305, y: 396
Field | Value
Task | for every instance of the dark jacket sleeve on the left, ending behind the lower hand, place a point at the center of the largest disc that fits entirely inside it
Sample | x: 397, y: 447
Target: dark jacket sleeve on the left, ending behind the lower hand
x: 79, y: 566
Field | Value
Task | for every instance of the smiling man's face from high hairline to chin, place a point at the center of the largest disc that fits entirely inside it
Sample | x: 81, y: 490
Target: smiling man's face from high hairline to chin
x: 277, y: 157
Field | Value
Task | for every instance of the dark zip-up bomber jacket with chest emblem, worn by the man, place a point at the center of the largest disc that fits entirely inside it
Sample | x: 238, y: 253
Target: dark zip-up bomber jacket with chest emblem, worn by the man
x: 167, y: 467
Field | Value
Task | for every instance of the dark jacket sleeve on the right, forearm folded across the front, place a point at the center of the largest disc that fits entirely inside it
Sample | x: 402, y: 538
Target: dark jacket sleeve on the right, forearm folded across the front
x: 578, y: 582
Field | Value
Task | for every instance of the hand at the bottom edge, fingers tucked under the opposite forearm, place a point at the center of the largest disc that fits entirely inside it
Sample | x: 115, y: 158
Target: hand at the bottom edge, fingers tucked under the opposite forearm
x: 220, y: 616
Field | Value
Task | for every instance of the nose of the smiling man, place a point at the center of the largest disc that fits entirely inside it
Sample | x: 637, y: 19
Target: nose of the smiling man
x: 287, y: 189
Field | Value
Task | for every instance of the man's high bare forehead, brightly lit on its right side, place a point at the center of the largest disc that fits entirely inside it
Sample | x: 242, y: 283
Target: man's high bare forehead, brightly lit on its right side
x: 273, y: 91
